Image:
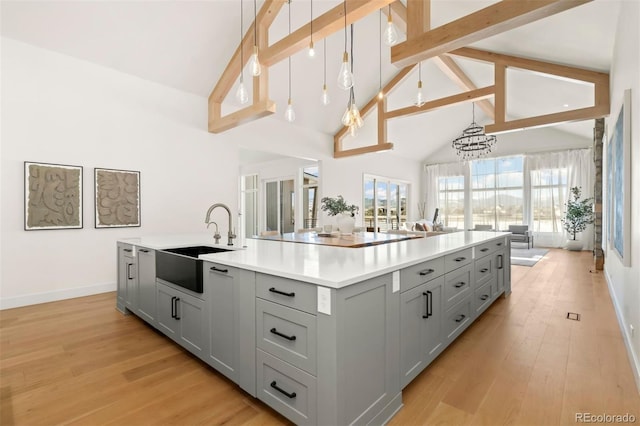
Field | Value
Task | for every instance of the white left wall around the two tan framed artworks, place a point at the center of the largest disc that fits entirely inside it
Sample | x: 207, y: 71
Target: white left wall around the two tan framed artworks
x: 57, y: 109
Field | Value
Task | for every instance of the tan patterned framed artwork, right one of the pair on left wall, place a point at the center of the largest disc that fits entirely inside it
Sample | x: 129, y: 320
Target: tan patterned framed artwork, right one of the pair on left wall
x: 117, y: 198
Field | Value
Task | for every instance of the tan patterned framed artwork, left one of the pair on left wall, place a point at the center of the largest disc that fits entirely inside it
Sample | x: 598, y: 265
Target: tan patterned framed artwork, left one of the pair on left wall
x: 52, y: 196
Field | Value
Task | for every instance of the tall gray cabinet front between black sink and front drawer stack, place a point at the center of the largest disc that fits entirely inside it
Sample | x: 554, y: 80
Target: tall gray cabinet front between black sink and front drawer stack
x: 231, y: 323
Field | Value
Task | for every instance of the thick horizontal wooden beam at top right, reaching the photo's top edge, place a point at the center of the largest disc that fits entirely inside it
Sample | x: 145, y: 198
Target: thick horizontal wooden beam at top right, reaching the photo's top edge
x: 495, y: 19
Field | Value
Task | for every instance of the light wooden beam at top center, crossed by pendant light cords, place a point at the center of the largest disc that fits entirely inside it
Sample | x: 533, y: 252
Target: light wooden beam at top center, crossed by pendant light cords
x: 323, y: 26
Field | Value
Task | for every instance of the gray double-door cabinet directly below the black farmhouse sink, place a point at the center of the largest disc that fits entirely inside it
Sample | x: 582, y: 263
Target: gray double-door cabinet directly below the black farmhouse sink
x: 182, y: 317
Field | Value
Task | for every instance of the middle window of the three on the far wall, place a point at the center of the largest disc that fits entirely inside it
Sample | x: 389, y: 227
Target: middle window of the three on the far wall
x: 496, y: 192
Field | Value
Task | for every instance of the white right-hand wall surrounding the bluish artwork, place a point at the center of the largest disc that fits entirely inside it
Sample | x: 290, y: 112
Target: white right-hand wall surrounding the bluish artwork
x: 624, y: 282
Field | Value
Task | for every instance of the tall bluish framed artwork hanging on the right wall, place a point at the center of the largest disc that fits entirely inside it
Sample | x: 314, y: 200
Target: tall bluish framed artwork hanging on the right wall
x: 621, y: 182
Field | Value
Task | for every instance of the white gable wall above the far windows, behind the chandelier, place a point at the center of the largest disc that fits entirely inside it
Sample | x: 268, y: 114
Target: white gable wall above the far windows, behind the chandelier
x: 527, y: 141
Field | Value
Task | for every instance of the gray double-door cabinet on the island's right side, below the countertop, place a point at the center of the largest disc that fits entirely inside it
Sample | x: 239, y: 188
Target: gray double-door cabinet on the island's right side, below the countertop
x: 420, y: 328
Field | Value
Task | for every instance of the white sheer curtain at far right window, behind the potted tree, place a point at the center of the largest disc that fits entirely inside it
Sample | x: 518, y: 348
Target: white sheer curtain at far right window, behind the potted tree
x: 551, y: 176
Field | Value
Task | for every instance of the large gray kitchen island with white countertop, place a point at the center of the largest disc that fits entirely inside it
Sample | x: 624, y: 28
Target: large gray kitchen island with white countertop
x: 324, y: 335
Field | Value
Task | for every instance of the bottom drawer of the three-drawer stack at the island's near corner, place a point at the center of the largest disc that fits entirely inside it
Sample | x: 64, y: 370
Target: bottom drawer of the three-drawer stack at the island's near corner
x: 288, y: 390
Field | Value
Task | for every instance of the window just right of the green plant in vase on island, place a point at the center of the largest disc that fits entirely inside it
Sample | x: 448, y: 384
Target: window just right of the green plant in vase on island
x: 385, y: 203
